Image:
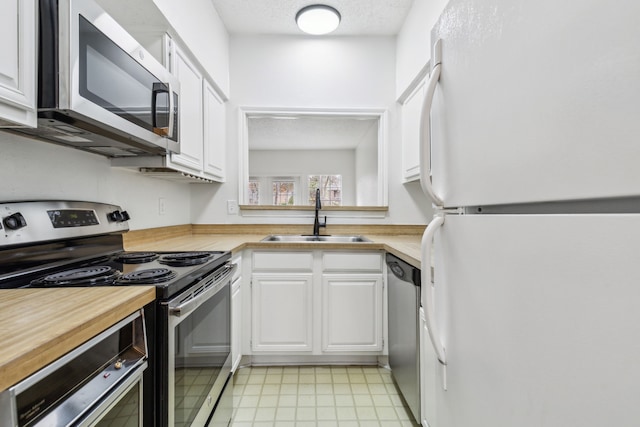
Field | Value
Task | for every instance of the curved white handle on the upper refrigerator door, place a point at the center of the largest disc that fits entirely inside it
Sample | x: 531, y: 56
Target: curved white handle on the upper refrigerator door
x: 425, y: 127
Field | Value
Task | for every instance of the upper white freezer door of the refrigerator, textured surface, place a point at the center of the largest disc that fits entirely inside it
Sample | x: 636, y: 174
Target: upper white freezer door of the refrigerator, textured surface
x: 537, y: 101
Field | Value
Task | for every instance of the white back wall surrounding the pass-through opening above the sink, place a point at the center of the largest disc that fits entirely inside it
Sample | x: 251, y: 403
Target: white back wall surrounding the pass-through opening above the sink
x: 333, y: 72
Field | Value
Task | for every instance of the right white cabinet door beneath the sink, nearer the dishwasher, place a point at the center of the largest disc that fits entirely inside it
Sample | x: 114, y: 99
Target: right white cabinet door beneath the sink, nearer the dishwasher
x: 351, y: 312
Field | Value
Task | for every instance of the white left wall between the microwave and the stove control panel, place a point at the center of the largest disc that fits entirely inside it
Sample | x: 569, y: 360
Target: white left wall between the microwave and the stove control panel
x: 35, y: 170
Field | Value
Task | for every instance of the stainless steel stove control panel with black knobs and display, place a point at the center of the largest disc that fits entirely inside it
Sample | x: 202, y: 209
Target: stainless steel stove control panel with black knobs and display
x: 30, y: 222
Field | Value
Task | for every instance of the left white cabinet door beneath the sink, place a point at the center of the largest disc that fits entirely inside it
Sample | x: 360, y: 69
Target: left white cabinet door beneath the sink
x: 282, y: 312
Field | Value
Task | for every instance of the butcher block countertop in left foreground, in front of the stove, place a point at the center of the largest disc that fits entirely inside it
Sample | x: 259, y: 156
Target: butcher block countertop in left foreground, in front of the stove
x: 38, y: 326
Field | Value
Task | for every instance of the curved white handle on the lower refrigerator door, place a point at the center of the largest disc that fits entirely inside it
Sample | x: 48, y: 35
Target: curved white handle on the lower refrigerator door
x: 427, y: 288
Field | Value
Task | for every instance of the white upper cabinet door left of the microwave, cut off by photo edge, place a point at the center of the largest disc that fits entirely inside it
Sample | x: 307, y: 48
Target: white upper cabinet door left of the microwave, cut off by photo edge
x: 18, y: 28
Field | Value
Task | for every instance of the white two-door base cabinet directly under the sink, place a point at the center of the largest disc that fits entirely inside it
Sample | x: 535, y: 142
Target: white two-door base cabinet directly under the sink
x: 317, y: 302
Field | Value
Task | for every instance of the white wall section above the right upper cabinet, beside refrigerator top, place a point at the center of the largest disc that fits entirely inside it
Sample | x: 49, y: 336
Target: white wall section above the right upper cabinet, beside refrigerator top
x: 413, y: 42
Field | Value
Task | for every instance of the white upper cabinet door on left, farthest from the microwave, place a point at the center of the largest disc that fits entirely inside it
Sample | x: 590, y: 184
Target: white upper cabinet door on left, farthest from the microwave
x: 214, y: 133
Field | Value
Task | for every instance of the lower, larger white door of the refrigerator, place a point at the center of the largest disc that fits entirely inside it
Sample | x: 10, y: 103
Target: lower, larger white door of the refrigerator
x: 540, y: 319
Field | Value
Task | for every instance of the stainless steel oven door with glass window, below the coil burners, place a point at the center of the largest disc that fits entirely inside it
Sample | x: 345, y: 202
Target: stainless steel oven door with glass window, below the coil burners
x: 199, y: 348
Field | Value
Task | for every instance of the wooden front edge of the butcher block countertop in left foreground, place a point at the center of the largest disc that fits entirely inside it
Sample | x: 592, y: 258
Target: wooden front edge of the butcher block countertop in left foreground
x: 42, y: 353
